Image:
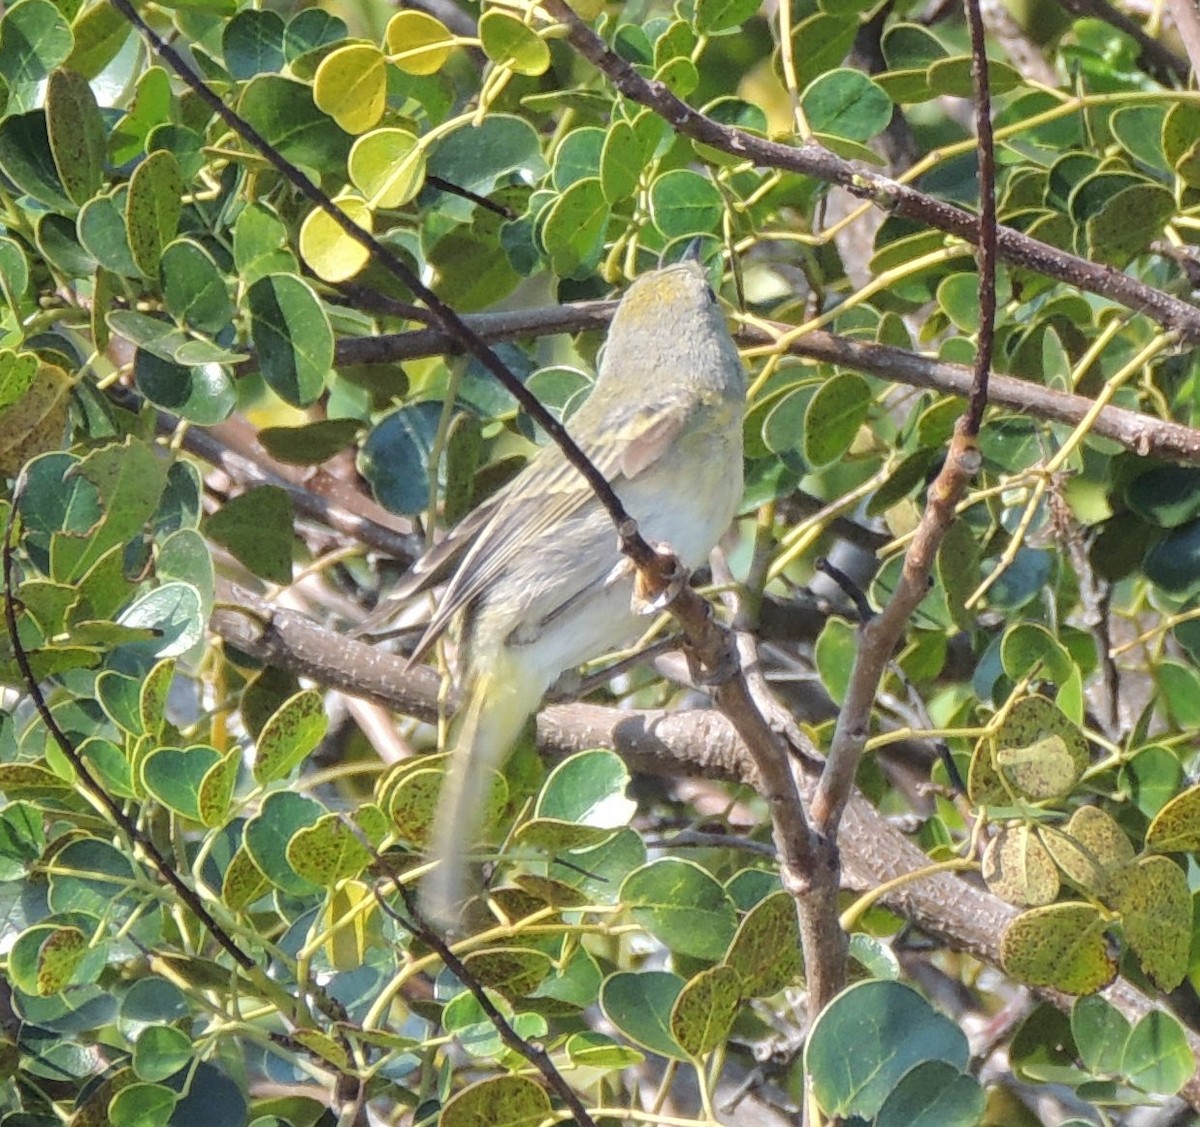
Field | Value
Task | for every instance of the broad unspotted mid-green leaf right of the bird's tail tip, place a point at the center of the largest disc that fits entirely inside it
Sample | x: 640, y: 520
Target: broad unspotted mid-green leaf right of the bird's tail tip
x: 683, y: 907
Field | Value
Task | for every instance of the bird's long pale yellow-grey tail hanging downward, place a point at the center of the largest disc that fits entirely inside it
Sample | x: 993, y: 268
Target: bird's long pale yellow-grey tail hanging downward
x: 497, y: 704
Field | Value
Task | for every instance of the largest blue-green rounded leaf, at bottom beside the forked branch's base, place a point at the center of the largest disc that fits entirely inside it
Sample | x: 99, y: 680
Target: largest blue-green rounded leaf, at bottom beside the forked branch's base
x: 868, y: 1039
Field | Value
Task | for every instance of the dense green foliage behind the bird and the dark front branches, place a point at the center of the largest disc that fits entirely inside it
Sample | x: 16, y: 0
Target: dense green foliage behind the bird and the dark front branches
x: 220, y: 410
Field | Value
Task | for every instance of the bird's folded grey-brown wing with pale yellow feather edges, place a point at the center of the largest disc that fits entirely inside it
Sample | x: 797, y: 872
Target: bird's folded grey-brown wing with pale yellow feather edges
x: 539, y: 501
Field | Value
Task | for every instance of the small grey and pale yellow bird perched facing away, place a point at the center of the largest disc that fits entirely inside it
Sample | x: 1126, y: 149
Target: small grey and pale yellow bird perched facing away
x: 542, y: 586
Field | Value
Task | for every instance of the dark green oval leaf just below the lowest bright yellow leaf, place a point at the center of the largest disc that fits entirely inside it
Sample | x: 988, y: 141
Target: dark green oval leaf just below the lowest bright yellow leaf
x: 292, y: 337
